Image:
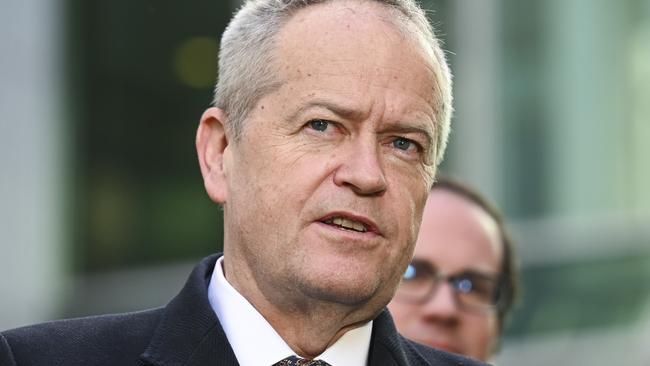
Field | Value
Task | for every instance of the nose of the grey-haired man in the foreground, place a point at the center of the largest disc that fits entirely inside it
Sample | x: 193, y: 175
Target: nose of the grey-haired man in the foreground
x: 361, y: 169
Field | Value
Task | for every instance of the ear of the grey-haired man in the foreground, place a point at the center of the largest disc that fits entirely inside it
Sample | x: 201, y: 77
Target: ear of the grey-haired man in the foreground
x: 211, y: 146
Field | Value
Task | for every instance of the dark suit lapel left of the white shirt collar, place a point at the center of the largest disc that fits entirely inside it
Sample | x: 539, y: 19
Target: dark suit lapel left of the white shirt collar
x: 189, y: 332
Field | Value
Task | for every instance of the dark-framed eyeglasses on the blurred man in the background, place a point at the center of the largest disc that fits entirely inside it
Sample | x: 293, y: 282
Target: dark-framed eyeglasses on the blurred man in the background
x: 473, y: 291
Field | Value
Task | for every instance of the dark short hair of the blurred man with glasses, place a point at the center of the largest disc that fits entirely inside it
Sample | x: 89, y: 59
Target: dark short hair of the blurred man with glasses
x: 509, y: 272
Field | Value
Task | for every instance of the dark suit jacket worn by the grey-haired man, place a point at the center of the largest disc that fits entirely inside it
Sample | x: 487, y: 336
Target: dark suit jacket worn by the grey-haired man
x: 185, y: 332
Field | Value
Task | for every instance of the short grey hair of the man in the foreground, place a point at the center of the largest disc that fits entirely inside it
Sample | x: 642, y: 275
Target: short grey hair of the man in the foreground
x: 246, y: 71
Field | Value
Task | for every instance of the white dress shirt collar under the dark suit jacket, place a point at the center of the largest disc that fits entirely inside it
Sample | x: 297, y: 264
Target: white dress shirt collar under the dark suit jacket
x: 256, y: 343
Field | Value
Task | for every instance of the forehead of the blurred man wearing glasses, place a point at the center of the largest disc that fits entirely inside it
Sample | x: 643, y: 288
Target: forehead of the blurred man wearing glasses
x: 458, y: 235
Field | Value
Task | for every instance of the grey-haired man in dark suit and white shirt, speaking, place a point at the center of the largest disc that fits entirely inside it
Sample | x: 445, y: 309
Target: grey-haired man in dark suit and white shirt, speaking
x: 330, y: 118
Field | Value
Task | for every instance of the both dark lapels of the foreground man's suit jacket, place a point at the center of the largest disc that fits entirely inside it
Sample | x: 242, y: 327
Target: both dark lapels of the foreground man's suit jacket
x: 190, y: 333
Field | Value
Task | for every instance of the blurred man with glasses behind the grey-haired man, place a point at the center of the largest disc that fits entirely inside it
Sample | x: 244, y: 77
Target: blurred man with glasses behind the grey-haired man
x: 460, y: 285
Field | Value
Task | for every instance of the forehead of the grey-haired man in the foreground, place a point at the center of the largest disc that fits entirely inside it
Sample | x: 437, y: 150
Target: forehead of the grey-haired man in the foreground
x: 360, y: 39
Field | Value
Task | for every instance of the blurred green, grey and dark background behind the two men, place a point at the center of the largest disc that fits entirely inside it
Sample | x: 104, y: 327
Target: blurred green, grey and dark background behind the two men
x: 102, y: 207
